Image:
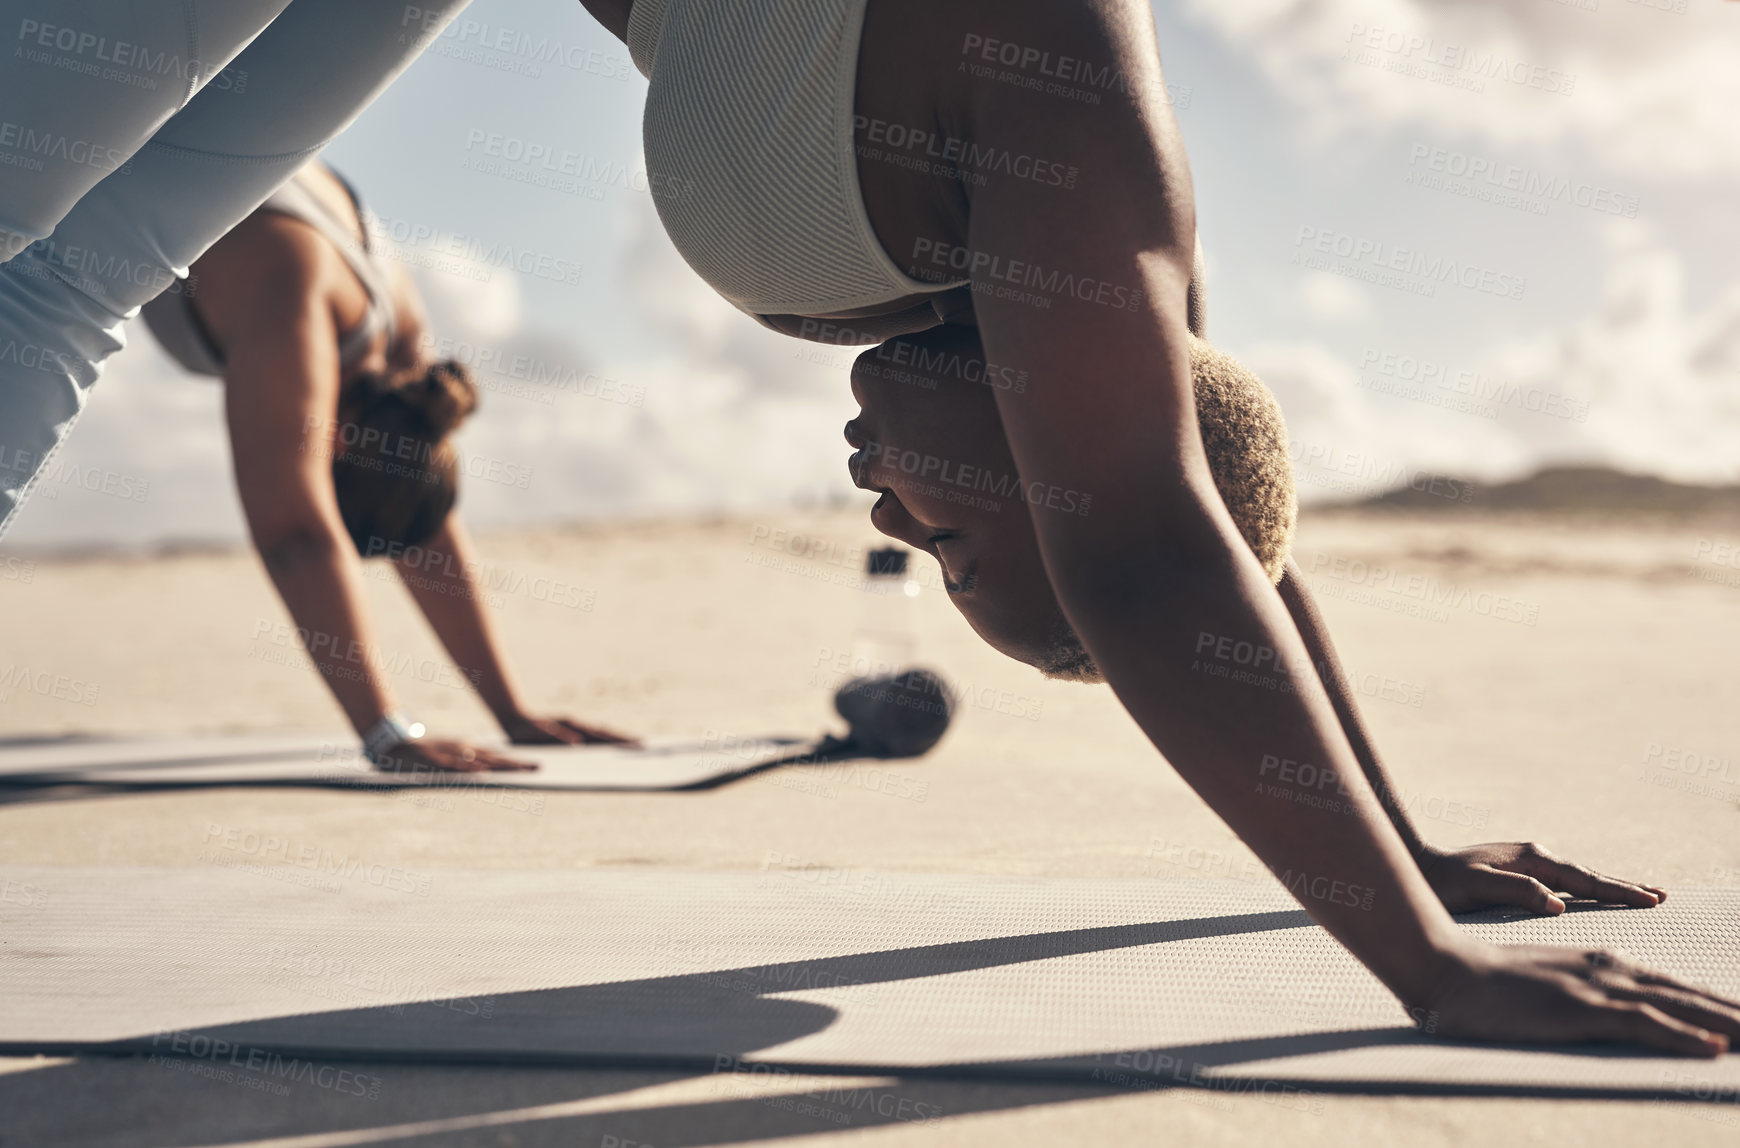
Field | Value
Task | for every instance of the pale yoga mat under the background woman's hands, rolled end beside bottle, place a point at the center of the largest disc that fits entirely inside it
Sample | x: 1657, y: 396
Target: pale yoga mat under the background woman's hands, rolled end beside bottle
x: 333, y: 761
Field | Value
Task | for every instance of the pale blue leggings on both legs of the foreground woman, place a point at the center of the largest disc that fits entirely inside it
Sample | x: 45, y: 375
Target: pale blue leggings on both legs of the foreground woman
x: 133, y: 135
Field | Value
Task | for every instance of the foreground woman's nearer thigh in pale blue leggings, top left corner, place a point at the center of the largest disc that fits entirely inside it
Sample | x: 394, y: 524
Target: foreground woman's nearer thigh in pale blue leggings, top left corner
x: 86, y: 83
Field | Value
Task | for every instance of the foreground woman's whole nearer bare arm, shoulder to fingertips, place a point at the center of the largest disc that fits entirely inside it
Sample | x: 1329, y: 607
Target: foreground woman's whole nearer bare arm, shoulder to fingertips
x: 1158, y: 568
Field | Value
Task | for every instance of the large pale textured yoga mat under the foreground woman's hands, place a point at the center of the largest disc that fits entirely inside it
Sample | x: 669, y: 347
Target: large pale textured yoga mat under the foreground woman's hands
x: 1141, y: 984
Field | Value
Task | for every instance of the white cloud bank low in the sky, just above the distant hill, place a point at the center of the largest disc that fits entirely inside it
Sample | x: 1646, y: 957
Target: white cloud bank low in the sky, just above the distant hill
x: 1649, y: 382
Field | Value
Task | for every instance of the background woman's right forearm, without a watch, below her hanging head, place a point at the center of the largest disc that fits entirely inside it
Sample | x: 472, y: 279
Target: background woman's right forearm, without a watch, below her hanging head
x: 446, y: 589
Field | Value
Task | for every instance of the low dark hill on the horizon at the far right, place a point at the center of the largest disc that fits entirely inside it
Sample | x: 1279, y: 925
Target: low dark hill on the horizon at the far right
x: 1569, y: 491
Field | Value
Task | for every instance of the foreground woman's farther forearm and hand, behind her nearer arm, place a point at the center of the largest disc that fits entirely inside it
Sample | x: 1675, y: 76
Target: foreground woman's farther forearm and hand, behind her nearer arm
x: 1466, y: 879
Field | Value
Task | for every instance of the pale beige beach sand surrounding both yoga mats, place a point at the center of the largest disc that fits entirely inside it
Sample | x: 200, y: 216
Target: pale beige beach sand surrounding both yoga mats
x: 1555, y: 697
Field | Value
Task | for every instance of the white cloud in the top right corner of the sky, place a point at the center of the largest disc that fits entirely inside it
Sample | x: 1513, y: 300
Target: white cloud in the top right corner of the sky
x: 1652, y: 95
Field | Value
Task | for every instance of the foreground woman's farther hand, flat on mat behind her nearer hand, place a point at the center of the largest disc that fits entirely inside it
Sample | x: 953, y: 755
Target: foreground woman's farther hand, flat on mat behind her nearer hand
x: 1525, y: 876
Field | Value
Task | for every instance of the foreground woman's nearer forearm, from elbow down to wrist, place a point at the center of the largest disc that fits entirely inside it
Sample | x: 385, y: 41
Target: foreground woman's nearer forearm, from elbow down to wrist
x: 1172, y: 651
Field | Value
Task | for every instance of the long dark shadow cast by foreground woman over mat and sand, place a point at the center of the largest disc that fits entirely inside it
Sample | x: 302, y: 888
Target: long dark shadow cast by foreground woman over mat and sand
x: 445, y: 1072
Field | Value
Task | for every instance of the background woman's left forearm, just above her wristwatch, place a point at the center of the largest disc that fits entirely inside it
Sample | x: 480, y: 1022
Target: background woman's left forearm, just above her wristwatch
x: 319, y: 578
